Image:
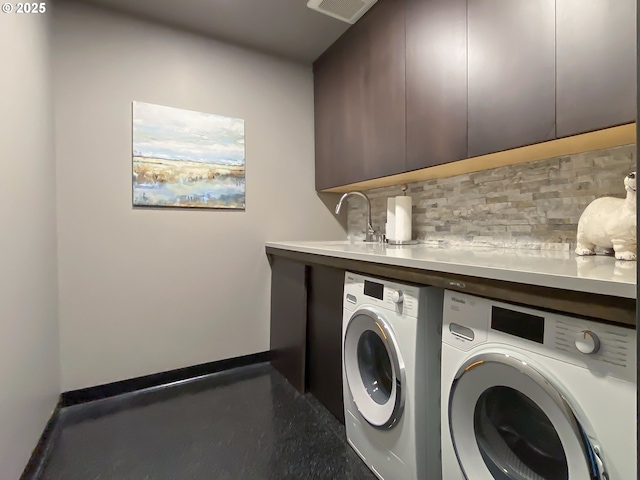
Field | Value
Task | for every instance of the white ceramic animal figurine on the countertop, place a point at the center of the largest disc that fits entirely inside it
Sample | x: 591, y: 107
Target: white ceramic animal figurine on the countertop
x: 610, y: 223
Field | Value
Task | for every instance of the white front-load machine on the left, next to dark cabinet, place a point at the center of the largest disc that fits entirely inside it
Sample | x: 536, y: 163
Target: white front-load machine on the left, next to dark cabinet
x: 391, y: 376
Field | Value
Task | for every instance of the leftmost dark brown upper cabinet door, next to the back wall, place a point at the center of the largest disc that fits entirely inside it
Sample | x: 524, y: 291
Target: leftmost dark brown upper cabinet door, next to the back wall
x: 360, y: 100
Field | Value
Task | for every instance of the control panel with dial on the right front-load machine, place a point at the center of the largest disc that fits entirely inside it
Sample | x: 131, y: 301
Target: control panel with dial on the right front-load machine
x: 470, y: 321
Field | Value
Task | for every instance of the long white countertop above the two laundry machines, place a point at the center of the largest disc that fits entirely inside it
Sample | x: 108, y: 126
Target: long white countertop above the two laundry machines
x: 565, y: 270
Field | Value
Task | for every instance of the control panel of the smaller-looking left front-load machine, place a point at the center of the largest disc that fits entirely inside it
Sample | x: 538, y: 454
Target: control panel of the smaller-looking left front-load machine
x: 397, y: 297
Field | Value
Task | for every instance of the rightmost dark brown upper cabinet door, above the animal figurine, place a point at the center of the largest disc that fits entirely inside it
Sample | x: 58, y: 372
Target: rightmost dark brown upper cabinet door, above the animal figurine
x: 596, y: 64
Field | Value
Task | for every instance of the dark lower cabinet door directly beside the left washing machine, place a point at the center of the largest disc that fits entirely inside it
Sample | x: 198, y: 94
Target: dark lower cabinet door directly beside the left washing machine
x: 324, y: 337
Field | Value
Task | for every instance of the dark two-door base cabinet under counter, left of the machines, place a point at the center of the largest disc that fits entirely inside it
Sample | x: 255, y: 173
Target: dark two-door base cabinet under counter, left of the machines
x: 306, y: 329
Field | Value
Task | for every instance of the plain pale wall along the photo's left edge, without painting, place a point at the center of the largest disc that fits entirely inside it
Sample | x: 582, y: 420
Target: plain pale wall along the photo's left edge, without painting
x: 29, y: 361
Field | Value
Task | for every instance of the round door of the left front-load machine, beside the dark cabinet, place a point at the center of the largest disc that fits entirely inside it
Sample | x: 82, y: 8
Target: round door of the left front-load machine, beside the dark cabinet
x: 373, y: 368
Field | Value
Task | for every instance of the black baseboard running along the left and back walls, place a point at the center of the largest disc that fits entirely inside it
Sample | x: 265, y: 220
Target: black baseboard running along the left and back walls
x: 40, y: 454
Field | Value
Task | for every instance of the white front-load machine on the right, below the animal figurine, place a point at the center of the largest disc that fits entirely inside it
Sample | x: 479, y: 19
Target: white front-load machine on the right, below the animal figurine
x: 532, y: 395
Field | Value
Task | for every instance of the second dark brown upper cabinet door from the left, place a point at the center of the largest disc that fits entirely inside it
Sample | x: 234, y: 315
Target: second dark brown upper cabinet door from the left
x: 436, y: 85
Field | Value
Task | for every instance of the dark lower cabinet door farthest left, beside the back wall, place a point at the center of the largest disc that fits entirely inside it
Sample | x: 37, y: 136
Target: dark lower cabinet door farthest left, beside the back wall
x: 289, y: 319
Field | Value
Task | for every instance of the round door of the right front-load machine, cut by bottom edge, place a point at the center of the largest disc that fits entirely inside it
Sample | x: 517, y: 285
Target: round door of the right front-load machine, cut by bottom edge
x: 508, y: 422
